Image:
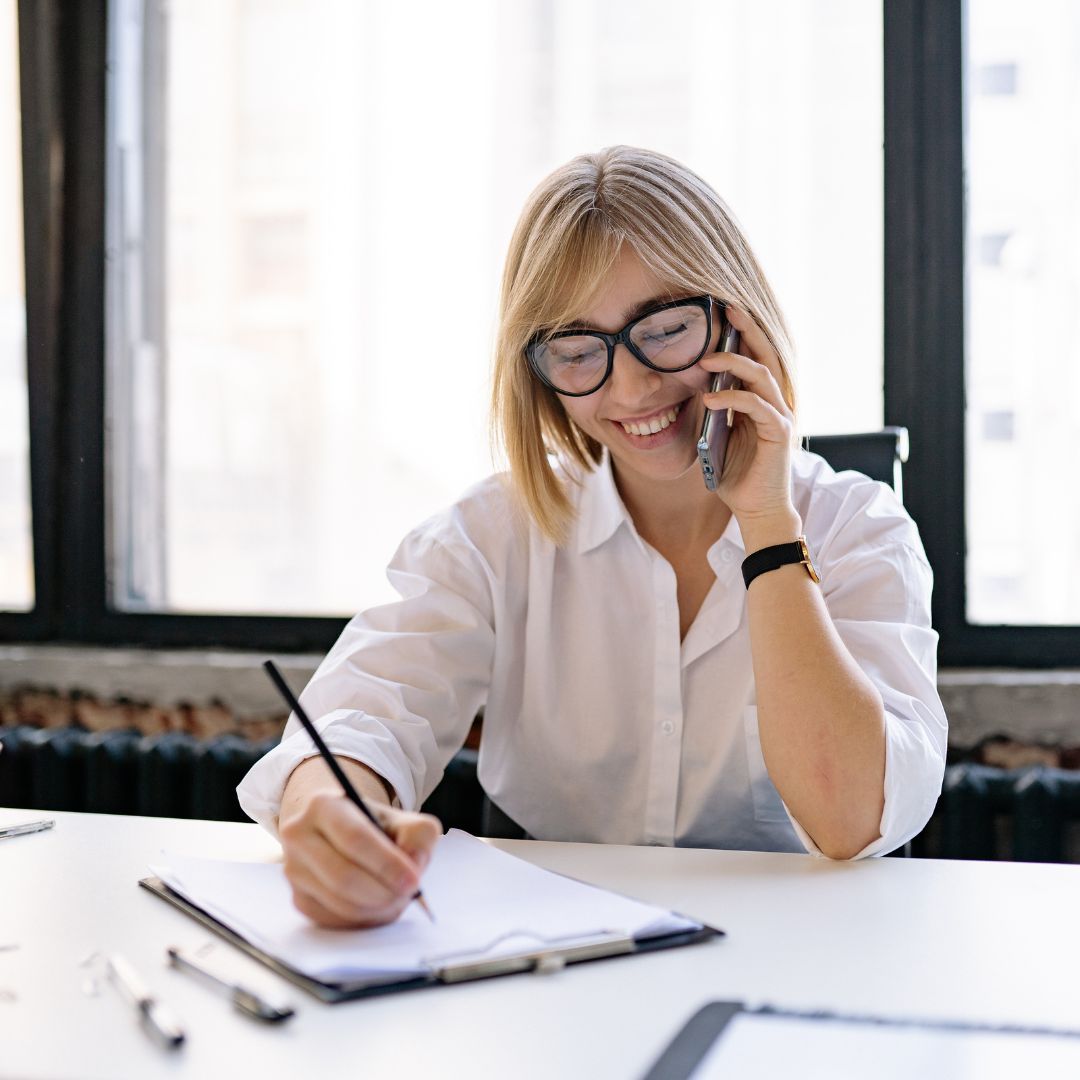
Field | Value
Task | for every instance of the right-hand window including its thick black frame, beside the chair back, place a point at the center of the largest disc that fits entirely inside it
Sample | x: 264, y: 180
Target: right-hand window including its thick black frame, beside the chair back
x: 981, y: 208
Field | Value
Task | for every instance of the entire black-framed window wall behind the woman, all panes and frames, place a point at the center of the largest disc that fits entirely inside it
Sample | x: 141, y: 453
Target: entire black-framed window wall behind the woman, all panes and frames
x: 252, y: 371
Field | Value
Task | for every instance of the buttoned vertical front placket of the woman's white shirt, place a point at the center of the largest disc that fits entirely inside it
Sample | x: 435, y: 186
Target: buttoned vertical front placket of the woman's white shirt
x: 667, y: 714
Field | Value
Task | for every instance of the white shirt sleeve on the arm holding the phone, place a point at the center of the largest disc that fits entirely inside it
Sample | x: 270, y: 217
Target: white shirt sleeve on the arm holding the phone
x: 877, y: 586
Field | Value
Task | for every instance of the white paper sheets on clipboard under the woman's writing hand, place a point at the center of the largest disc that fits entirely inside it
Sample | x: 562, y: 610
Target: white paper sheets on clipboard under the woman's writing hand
x: 487, y: 904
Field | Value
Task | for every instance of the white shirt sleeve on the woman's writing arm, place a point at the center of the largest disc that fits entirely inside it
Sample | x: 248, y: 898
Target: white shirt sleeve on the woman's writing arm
x: 401, y: 686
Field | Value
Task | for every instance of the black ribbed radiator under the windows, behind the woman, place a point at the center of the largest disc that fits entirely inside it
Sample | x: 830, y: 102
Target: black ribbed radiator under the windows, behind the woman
x: 1027, y: 815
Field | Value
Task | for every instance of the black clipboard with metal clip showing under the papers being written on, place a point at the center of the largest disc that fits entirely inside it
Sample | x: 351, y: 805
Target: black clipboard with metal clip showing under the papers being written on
x: 544, y: 961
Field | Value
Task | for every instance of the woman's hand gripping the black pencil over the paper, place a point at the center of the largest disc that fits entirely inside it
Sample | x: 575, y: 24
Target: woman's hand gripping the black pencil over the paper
x: 345, y: 873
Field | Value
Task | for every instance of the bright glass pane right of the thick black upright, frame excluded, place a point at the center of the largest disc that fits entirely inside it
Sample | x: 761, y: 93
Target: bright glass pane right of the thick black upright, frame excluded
x: 1023, y: 266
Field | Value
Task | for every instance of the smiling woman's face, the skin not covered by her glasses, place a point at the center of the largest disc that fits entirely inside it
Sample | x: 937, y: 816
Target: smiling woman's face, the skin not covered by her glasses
x: 636, y: 396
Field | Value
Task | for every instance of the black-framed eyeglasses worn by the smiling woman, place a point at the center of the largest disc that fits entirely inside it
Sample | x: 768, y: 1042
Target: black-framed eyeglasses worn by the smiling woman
x: 670, y: 337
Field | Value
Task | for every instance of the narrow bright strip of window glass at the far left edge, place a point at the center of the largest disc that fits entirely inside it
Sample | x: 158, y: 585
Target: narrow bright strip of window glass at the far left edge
x: 17, y: 571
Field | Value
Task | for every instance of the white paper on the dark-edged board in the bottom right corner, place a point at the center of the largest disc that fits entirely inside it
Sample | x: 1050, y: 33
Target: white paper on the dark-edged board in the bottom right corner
x: 764, y: 1048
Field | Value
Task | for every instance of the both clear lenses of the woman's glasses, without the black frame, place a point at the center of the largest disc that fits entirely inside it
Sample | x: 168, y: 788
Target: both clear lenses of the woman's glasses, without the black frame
x: 670, y: 340
